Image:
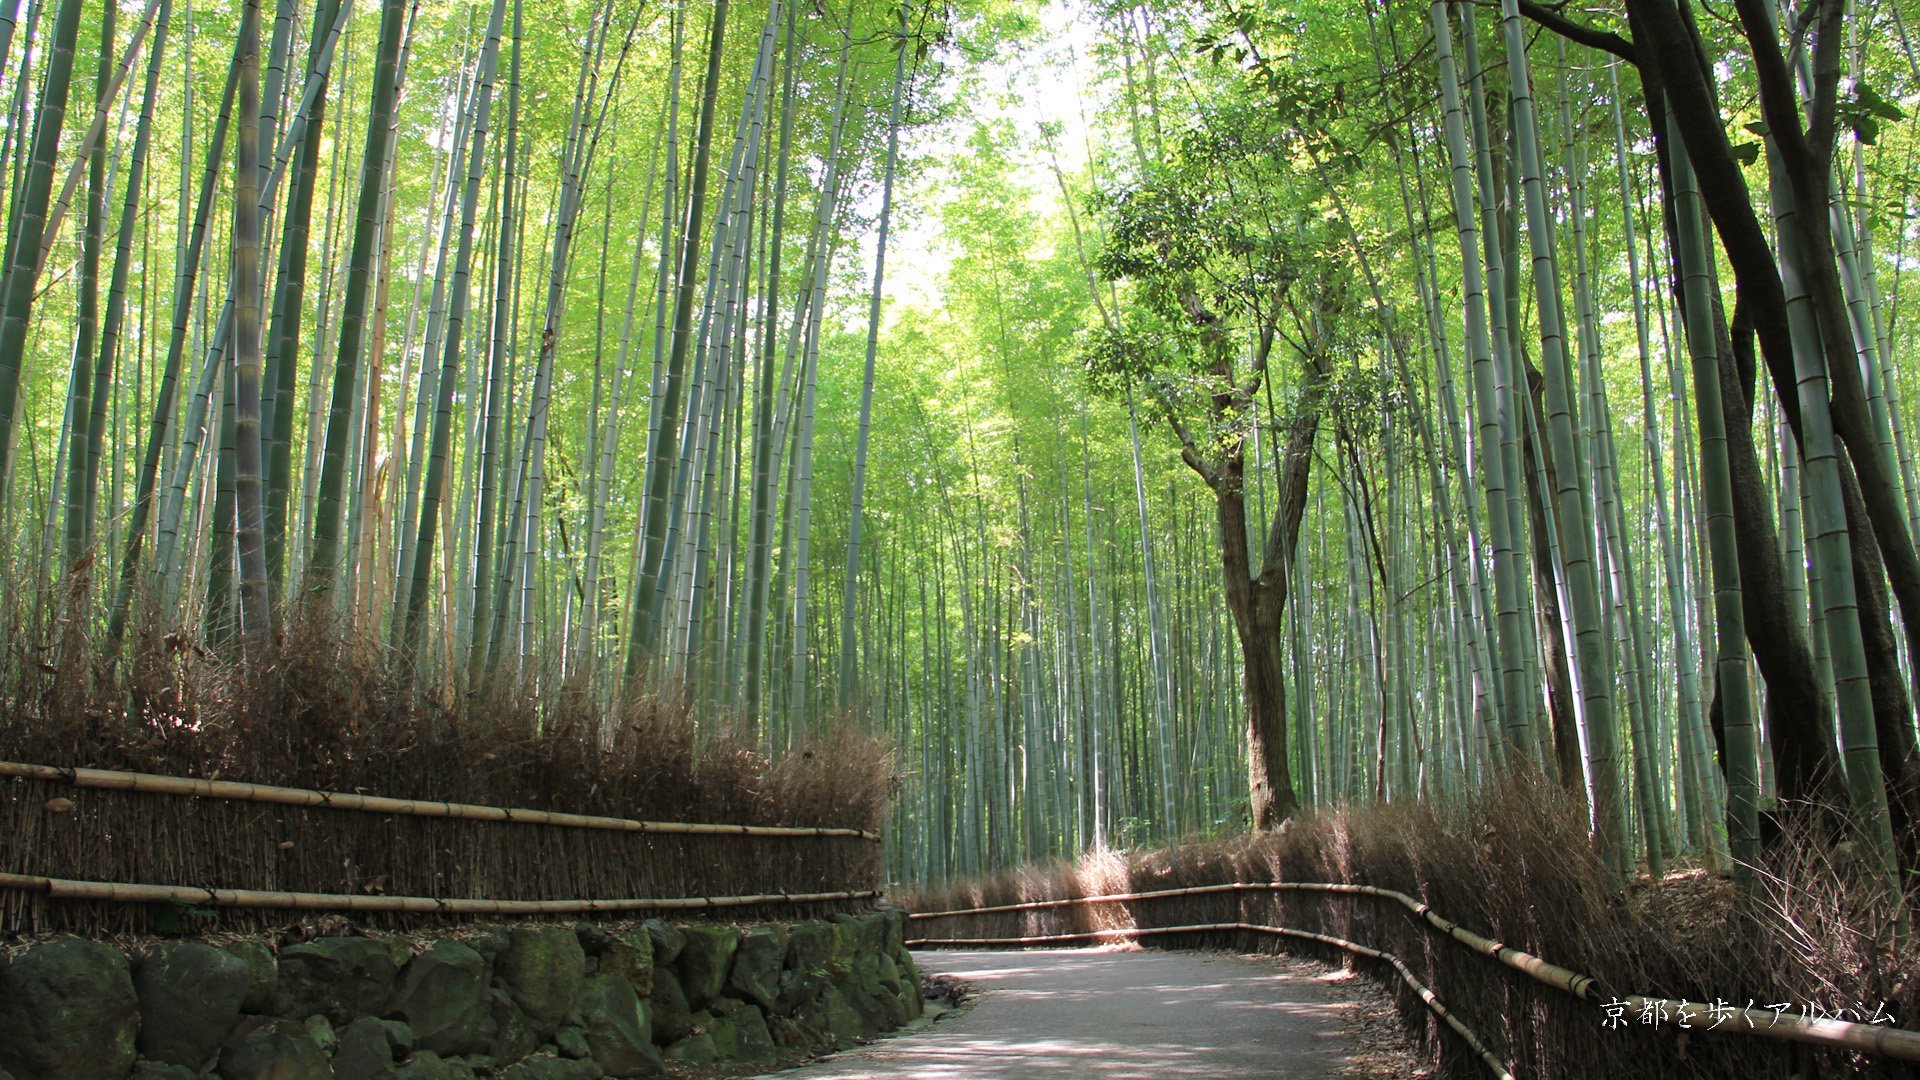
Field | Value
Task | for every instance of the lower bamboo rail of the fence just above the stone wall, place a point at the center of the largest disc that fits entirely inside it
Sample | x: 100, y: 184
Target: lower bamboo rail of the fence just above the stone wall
x: 118, y: 893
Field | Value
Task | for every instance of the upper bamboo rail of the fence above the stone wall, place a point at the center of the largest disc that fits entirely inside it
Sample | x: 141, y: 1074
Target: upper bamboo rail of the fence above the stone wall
x: 151, y: 783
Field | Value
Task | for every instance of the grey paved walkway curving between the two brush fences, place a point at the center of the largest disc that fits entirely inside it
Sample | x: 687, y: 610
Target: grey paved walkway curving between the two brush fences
x: 1113, y: 1016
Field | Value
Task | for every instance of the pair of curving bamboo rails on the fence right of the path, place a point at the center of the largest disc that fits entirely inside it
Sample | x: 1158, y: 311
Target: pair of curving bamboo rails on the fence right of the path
x: 1829, y: 1033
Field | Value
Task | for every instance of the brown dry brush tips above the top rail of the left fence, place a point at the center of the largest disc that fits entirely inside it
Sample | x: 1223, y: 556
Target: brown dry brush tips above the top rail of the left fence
x: 331, y: 708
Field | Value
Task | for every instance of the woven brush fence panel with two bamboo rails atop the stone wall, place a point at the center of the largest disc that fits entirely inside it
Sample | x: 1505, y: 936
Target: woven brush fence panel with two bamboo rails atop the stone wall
x: 99, y: 852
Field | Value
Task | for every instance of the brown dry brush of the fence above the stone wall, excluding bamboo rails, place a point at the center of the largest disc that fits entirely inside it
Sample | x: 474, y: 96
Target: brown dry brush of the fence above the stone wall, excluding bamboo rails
x: 331, y: 710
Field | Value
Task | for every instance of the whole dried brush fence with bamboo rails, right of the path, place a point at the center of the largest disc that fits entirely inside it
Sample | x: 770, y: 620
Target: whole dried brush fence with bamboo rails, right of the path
x: 1476, y: 902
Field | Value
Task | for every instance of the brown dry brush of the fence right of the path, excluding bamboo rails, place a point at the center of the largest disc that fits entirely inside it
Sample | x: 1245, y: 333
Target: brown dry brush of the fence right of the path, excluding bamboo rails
x: 1516, y: 866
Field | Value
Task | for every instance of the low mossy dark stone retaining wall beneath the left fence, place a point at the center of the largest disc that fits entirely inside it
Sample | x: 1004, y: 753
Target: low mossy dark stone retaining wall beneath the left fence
x: 517, y: 1004
